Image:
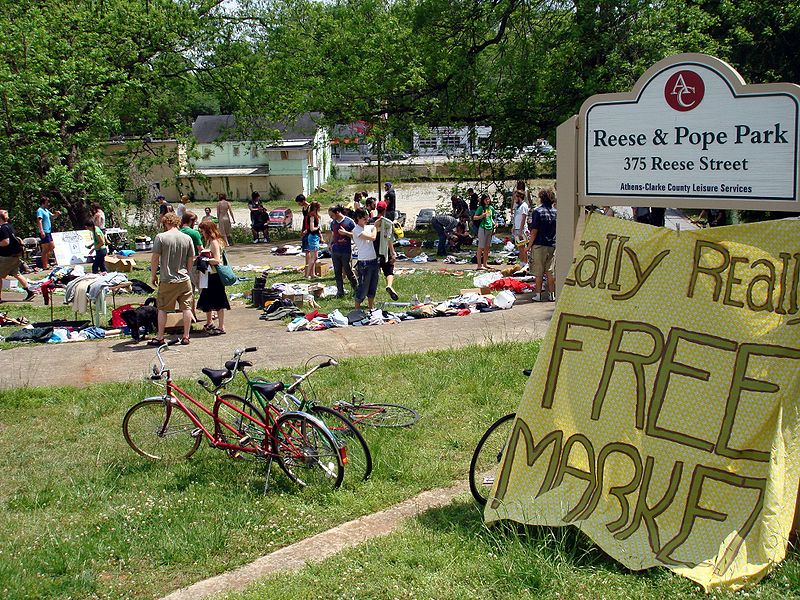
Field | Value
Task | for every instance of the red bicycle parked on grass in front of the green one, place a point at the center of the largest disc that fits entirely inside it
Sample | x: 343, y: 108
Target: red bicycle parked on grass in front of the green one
x: 166, y: 427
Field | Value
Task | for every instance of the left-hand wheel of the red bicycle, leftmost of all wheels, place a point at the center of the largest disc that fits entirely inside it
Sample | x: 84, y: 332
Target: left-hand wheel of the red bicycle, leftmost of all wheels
x: 159, y: 430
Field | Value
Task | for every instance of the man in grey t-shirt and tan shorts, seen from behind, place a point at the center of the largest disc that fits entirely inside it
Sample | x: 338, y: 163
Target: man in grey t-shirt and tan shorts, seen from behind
x: 170, y: 266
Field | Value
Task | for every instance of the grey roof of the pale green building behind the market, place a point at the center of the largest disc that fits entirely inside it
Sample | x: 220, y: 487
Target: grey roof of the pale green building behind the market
x: 208, y: 129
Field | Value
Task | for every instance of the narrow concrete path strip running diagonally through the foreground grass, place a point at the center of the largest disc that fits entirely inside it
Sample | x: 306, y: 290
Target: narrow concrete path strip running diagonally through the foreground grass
x: 321, y: 546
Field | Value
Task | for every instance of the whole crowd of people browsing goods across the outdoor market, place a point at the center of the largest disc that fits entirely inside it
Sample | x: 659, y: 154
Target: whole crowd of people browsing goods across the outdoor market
x: 187, y: 254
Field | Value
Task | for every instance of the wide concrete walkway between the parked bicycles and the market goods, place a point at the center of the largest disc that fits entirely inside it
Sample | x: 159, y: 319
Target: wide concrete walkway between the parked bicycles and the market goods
x: 81, y: 364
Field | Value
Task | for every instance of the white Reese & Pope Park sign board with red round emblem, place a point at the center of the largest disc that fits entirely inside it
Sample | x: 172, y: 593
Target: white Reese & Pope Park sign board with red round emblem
x: 692, y: 129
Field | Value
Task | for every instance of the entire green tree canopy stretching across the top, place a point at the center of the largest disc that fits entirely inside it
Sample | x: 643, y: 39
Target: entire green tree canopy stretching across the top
x: 75, y: 73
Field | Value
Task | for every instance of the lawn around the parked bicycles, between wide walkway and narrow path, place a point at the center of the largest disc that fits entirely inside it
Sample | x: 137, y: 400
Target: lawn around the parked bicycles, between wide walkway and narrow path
x: 82, y: 516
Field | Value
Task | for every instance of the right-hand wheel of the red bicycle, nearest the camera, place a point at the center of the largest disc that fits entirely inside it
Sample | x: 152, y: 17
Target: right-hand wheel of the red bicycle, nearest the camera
x: 307, y: 452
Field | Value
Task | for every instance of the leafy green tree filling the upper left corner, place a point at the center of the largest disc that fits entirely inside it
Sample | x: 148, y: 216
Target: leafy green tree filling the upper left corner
x: 74, y: 73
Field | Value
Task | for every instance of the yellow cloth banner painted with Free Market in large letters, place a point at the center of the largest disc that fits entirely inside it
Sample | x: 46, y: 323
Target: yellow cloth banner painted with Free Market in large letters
x: 662, y: 414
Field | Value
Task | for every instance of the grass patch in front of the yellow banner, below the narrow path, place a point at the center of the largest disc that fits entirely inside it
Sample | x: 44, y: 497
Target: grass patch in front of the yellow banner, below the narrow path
x: 448, y: 553
